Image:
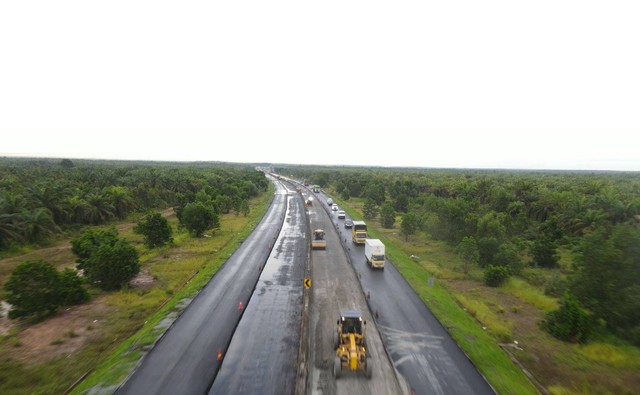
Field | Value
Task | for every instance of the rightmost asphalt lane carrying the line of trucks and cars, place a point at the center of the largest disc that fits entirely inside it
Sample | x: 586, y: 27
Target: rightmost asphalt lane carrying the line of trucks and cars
x: 421, y: 349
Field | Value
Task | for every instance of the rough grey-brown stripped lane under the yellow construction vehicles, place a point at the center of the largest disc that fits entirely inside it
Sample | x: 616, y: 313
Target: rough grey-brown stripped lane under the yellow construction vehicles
x: 335, y: 286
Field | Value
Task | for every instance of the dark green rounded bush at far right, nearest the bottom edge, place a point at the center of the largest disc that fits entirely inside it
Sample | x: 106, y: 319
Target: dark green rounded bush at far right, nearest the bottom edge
x: 570, y: 322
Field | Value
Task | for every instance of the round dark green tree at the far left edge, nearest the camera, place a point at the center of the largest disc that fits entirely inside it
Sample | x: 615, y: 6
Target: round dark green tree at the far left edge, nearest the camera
x: 33, y: 290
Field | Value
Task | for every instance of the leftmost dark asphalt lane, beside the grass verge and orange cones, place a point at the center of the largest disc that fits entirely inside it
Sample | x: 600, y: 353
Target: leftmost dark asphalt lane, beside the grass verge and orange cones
x: 184, y: 360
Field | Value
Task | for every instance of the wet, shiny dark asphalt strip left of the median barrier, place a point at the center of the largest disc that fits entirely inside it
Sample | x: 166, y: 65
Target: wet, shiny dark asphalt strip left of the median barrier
x: 263, y: 355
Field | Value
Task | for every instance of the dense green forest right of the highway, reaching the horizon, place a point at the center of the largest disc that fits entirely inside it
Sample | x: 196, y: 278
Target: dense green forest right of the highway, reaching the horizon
x: 506, y: 221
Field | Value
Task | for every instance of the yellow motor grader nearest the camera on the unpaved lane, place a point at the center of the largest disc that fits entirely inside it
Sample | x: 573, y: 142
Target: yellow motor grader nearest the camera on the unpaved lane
x: 350, y: 344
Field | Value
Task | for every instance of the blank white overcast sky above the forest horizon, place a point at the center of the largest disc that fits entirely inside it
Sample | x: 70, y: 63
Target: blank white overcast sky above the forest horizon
x: 474, y: 84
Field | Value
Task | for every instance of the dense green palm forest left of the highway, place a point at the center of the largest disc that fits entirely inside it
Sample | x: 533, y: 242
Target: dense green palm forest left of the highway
x: 42, y: 198
